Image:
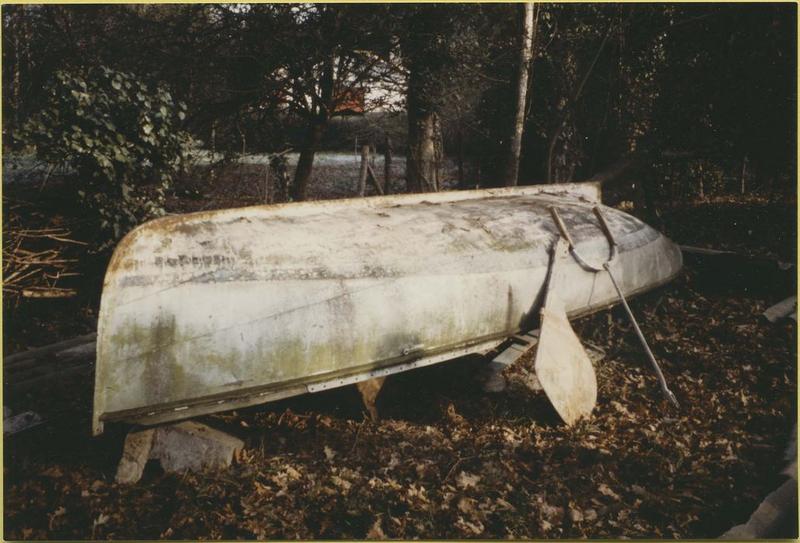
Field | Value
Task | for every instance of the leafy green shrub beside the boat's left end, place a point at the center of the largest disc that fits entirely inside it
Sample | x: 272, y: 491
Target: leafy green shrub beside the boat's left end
x: 120, y: 137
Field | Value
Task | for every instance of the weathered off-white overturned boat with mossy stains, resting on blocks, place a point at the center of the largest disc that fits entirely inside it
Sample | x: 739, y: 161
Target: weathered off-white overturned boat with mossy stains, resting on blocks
x: 218, y: 310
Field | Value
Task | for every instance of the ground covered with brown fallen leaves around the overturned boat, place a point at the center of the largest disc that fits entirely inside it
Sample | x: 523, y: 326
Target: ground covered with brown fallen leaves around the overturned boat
x: 447, y: 460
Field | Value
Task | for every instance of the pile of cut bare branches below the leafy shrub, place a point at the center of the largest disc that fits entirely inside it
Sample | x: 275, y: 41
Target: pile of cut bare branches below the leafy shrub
x: 34, y: 258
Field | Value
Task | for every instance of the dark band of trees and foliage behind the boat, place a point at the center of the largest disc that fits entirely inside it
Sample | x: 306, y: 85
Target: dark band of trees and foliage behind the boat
x: 684, y: 98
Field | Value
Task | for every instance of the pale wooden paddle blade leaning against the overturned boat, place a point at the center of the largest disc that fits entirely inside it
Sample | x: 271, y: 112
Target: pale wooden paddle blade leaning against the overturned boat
x: 561, y: 364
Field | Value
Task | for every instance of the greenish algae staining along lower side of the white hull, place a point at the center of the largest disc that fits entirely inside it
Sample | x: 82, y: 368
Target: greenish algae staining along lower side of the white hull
x: 157, y: 369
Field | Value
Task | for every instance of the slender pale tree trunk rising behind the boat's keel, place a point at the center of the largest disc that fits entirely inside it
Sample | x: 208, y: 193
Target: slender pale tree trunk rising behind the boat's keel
x: 511, y: 175
